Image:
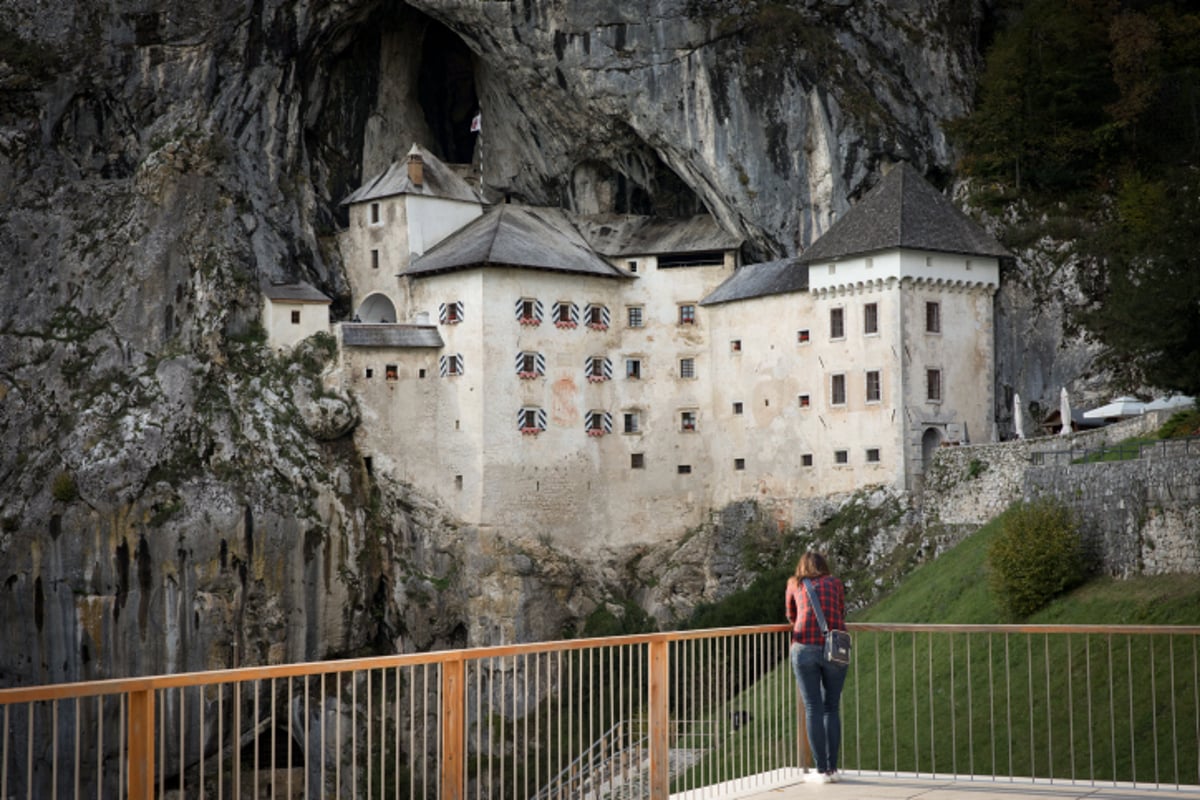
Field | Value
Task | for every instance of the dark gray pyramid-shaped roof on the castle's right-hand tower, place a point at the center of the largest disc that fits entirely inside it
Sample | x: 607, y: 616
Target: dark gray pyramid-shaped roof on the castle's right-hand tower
x: 903, y: 212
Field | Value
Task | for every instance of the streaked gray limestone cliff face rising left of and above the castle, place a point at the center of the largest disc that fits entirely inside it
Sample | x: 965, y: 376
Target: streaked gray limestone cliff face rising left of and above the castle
x: 175, y: 497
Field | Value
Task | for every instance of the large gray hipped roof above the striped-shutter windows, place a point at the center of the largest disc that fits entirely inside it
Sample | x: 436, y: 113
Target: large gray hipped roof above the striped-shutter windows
x: 512, y: 236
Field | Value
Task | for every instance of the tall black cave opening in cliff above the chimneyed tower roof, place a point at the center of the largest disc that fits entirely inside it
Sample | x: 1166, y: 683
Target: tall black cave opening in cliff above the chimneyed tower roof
x: 446, y: 91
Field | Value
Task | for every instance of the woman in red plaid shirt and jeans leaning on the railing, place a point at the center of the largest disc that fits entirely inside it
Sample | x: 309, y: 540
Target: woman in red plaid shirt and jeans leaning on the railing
x: 820, y: 681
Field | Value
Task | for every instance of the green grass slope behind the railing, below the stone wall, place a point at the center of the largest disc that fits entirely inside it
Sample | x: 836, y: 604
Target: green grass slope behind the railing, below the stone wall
x: 1069, y: 707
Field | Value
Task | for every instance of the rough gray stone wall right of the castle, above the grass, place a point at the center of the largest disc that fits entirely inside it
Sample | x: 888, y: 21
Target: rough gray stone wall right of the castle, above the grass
x: 1139, y: 516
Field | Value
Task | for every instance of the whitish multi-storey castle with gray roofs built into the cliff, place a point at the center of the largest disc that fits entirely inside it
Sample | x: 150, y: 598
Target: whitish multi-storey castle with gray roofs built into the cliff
x: 613, y: 381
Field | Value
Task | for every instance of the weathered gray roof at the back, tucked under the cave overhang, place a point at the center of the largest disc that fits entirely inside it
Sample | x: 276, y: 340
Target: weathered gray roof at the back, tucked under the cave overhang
x: 631, y: 236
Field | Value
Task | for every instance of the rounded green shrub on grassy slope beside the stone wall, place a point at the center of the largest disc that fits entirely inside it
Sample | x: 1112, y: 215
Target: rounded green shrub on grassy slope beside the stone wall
x: 1037, y: 557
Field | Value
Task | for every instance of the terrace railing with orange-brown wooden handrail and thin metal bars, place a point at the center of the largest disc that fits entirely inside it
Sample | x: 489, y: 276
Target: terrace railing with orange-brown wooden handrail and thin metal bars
x: 689, y: 713
